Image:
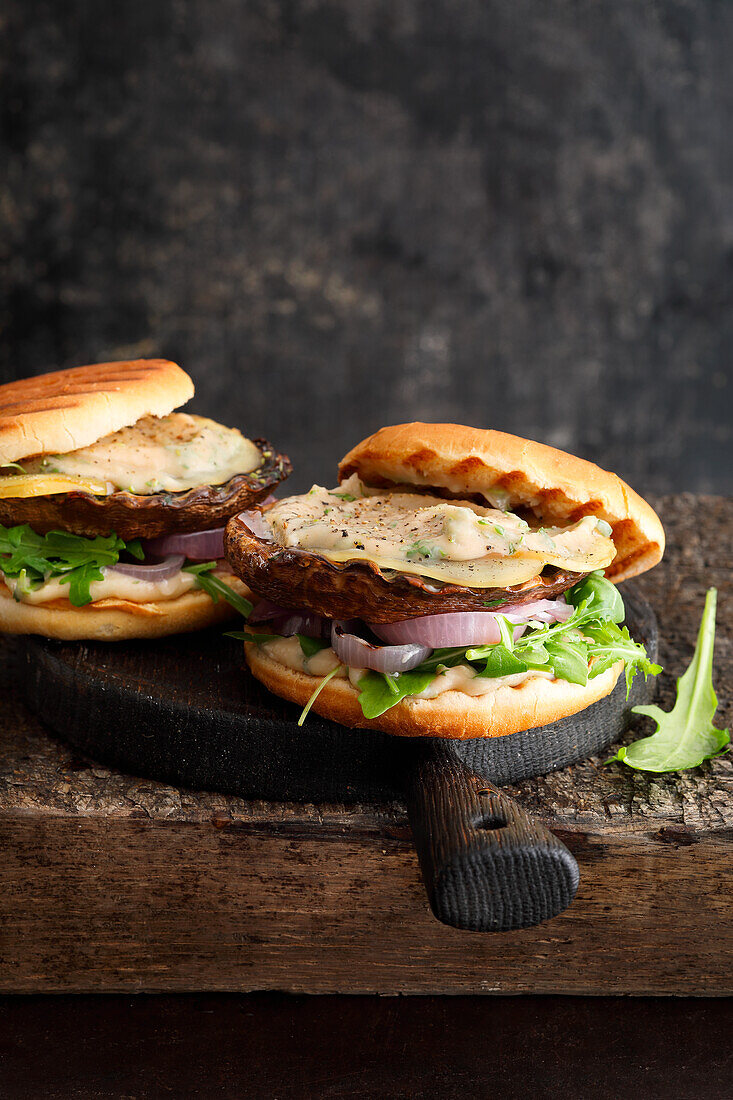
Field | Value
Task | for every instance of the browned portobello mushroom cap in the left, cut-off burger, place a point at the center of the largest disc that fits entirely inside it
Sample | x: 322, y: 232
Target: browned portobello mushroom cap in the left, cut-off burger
x: 133, y: 516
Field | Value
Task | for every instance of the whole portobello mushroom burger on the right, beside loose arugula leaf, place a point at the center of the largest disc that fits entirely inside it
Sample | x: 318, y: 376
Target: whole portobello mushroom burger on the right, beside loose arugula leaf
x: 457, y: 584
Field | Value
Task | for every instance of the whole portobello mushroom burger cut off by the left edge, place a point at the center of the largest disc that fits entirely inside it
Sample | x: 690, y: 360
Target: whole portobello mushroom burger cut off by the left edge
x: 113, y: 505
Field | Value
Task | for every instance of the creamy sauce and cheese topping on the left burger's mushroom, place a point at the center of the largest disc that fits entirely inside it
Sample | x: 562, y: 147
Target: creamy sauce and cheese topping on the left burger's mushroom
x: 157, y: 455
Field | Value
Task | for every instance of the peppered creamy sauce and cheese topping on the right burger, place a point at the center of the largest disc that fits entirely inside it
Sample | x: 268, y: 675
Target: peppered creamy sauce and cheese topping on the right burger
x: 455, y: 542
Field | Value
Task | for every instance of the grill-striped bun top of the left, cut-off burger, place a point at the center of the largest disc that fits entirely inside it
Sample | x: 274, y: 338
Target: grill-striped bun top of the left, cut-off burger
x: 61, y: 412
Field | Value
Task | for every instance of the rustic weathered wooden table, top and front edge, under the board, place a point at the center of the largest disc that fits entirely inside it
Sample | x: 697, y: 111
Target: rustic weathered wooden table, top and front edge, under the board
x: 115, y: 884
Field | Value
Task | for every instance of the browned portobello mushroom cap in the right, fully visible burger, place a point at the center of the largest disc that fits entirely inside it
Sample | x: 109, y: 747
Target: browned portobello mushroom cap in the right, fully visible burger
x: 308, y: 581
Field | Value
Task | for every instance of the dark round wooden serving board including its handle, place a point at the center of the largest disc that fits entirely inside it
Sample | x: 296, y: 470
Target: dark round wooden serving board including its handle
x: 188, y: 711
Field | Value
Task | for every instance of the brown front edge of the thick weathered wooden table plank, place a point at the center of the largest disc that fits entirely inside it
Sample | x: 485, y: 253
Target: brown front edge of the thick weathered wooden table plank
x: 125, y: 906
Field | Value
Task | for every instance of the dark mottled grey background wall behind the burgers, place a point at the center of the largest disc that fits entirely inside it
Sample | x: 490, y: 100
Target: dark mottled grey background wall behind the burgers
x: 337, y: 215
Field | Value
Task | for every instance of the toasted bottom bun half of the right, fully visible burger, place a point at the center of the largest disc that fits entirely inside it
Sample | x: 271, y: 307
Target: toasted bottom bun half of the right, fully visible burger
x: 454, y: 714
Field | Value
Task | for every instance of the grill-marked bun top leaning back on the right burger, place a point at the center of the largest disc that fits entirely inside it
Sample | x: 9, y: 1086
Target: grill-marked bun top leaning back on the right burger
x: 555, y: 486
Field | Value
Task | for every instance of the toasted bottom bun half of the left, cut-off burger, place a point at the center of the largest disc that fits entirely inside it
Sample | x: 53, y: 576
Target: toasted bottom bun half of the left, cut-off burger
x: 116, y: 620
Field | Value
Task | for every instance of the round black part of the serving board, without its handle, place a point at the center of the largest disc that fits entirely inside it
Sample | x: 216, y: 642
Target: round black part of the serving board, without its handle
x: 185, y: 710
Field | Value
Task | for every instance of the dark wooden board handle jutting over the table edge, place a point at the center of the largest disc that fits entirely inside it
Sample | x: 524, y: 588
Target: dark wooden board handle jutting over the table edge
x: 487, y: 865
